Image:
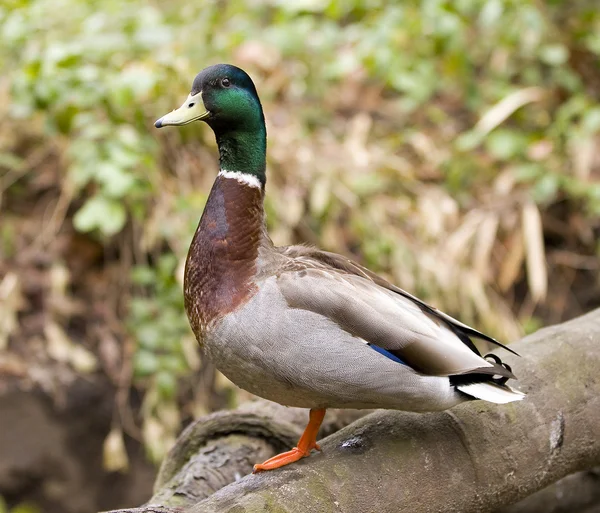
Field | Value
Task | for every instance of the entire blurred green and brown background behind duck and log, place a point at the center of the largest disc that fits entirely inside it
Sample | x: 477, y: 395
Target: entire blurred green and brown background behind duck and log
x: 453, y: 146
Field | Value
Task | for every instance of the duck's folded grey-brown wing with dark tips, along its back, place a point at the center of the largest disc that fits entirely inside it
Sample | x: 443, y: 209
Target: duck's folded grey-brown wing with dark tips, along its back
x: 381, y: 314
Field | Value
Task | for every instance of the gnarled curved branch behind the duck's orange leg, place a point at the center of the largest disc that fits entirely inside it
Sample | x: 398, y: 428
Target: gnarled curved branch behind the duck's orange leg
x: 221, y: 447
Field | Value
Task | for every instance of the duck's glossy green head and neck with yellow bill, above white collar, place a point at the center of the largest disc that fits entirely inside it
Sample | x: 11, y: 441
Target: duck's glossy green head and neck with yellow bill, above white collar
x: 224, y: 97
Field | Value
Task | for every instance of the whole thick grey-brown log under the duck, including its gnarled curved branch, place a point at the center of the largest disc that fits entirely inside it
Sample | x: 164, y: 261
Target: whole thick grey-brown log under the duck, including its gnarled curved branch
x: 475, y: 457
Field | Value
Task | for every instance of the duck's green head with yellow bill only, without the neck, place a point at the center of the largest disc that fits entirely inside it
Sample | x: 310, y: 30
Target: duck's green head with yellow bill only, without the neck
x: 223, y: 96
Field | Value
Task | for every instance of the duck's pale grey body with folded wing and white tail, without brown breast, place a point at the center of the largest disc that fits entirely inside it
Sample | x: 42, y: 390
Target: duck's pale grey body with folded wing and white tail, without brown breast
x: 304, y: 340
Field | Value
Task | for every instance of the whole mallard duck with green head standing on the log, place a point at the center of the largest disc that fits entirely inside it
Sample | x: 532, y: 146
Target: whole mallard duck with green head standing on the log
x: 305, y: 327
